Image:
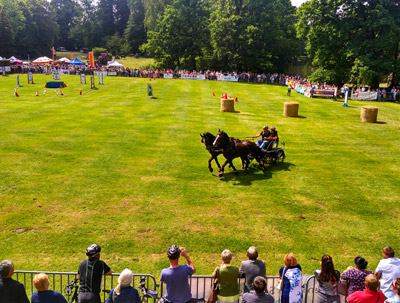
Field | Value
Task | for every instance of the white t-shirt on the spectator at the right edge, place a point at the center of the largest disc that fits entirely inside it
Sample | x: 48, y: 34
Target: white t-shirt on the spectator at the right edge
x: 390, y: 270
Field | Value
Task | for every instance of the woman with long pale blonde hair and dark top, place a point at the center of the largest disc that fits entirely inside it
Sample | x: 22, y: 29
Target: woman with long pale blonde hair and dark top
x: 124, y: 292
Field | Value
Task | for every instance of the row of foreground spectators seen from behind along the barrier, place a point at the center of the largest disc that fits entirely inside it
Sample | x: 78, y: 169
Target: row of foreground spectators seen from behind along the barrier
x: 357, y: 283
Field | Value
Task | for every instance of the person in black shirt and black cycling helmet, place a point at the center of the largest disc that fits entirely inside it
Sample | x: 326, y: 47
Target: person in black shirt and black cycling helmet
x: 90, y: 274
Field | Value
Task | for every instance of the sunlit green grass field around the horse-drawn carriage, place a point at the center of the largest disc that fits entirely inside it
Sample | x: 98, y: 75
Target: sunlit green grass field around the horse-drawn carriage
x: 114, y: 168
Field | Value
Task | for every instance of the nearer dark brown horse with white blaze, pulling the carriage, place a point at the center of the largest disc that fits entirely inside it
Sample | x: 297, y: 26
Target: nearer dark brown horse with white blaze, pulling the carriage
x: 234, y: 148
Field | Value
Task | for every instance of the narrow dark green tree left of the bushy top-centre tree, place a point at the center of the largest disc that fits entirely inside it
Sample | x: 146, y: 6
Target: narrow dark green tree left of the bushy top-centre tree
x: 135, y: 33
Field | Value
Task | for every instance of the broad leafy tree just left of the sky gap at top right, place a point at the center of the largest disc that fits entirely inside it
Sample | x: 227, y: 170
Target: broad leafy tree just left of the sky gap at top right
x: 253, y: 35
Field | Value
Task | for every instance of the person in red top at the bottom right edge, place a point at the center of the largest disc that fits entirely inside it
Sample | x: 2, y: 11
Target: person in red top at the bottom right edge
x: 370, y: 294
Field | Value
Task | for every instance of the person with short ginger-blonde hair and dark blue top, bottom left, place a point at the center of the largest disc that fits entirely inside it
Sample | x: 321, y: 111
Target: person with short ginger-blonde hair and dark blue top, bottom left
x: 43, y: 294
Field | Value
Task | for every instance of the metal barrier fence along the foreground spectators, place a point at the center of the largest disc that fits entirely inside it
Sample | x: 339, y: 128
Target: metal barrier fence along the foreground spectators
x: 199, y: 285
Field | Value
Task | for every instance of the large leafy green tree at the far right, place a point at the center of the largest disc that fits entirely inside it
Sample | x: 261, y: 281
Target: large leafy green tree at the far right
x: 351, y: 40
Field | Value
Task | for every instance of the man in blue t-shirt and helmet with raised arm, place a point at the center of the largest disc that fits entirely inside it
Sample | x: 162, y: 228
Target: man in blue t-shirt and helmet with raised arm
x: 176, y: 277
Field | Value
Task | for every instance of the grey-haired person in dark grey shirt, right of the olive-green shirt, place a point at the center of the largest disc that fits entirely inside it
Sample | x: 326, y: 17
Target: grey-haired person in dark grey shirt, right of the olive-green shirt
x: 252, y: 268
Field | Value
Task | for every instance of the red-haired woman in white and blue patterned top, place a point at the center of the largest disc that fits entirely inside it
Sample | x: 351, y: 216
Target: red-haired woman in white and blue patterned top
x: 291, y: 278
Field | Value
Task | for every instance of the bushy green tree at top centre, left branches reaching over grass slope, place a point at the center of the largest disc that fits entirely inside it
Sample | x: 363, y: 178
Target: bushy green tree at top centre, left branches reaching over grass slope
x: 181, y: 34
